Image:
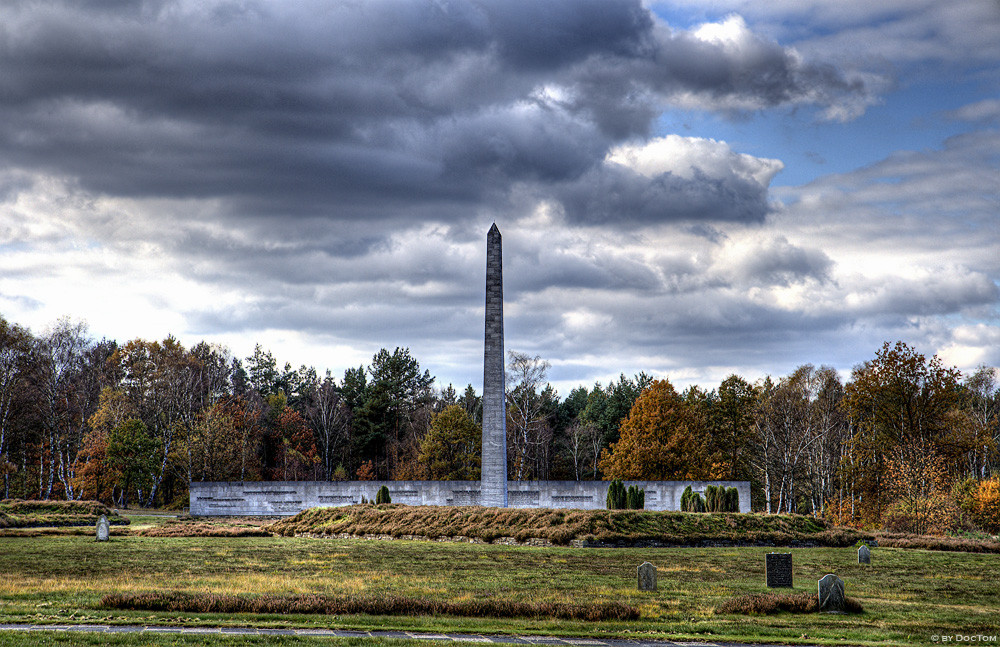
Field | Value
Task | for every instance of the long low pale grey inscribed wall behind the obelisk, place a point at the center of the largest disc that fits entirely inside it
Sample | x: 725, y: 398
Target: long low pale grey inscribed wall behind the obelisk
x: 281, y: 498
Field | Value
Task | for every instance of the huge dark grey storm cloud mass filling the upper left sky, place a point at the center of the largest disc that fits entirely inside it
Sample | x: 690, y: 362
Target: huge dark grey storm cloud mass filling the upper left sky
x: 379, y: 110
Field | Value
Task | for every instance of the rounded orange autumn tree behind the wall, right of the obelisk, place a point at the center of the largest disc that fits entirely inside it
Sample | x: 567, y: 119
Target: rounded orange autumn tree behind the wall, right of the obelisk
x: 661, y: 439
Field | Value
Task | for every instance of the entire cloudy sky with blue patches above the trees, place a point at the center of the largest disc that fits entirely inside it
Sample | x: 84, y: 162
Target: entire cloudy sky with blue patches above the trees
x: 689, y: 188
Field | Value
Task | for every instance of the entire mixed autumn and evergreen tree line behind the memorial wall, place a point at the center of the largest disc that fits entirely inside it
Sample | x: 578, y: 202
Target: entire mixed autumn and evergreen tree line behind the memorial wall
x: 132, y: 424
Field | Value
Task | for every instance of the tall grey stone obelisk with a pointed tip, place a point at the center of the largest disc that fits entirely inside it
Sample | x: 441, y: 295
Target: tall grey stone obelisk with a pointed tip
x: 493, y: 491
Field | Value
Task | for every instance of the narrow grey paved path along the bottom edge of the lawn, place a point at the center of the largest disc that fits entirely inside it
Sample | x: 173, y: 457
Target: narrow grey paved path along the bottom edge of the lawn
x: 343, y: 633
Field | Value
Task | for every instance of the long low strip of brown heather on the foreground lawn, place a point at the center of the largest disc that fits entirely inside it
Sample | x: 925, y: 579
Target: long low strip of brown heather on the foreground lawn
x: 367, y: 604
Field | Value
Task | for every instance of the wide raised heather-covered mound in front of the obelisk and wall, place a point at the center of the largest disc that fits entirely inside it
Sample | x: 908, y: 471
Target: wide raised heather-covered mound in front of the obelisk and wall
x: 560, y: 527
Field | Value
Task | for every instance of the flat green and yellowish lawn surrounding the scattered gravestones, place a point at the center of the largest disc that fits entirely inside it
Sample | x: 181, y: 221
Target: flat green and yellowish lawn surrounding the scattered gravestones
x: 908, y: 595
